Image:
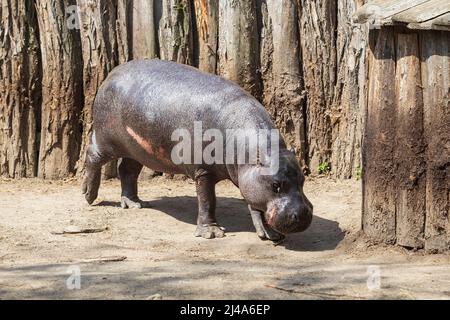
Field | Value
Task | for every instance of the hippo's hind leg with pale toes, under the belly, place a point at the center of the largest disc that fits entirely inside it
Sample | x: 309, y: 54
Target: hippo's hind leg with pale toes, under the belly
x: 129, y: 170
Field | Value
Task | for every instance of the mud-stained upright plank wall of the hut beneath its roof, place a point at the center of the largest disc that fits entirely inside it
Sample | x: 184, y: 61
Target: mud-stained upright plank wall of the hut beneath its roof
x: 406, y: 155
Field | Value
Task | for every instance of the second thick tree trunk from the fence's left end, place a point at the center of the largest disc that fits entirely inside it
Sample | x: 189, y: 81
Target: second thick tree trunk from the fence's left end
x: 62, y: 91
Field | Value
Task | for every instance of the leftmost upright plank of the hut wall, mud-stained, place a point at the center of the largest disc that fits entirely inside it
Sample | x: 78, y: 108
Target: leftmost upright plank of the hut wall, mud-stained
x: 378, y: 220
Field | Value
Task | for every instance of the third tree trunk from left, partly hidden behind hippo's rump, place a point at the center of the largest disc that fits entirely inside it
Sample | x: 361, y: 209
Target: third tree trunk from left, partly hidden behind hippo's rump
x: 100, y: 56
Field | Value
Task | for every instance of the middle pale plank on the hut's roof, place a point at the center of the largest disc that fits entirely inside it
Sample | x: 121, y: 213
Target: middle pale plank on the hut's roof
x: 423, y: 12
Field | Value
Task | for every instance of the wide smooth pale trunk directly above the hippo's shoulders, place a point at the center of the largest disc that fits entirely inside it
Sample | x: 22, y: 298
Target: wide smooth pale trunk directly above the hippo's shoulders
x: 238, y: 44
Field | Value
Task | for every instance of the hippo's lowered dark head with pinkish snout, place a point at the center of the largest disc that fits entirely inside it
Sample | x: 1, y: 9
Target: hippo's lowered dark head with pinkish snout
x: 280, y: 196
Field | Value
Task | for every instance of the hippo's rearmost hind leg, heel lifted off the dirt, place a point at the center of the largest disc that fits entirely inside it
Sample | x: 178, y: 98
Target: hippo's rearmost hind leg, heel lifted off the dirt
x: 94, y: 161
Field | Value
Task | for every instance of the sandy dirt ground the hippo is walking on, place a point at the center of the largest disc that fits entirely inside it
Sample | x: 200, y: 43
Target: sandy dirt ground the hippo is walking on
x: 164, y: 259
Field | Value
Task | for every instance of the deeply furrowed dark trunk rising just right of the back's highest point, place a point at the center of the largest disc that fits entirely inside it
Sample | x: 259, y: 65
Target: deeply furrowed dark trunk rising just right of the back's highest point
x: 175, y: 31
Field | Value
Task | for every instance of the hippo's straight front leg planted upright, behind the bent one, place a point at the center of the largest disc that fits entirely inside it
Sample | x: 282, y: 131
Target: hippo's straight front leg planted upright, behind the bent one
x: 207, y: 226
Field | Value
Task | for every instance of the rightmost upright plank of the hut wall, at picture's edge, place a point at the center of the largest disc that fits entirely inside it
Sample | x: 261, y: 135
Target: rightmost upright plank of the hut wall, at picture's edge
x: 435, y: 57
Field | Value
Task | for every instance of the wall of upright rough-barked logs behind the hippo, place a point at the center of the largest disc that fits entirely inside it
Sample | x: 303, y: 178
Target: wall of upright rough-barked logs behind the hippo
x: 304, y: 60
